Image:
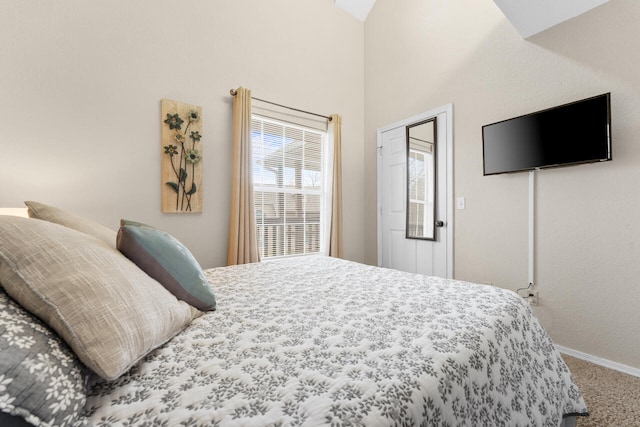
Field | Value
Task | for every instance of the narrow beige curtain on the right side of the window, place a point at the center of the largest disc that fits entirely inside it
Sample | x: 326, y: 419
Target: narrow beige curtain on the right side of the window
x: 335, y: 232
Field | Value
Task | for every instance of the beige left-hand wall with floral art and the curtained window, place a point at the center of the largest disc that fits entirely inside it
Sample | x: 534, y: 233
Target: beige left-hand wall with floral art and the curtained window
x: 81, y: 84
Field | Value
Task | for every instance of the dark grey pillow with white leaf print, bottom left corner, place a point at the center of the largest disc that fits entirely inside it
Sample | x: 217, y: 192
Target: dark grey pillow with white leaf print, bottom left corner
x: 41, y: 380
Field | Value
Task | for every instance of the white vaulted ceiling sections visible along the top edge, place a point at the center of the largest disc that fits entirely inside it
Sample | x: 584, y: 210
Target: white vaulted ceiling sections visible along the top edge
x: 529, y: 17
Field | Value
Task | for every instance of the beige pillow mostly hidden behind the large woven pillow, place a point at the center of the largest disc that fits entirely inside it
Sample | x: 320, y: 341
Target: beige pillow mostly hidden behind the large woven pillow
x: 59, y: 216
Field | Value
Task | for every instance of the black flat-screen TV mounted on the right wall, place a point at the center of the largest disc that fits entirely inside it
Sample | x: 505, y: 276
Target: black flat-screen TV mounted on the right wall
x: 575, y: 133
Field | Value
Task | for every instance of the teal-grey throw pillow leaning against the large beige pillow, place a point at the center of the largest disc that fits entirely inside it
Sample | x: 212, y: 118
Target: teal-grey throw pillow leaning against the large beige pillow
x: 168, y: 261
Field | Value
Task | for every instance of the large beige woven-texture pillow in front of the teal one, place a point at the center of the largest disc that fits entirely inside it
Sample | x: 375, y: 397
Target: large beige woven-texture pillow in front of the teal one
x: 108, y: 310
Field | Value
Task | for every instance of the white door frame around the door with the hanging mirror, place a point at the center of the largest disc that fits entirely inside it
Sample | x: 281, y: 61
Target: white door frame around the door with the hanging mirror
x: 448, y: 112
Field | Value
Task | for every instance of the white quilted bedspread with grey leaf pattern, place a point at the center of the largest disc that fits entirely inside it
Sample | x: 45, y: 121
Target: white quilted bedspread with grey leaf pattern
x: 322, y: 341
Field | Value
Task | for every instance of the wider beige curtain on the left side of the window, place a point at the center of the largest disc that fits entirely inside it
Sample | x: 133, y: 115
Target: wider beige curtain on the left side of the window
x: 243, y: 238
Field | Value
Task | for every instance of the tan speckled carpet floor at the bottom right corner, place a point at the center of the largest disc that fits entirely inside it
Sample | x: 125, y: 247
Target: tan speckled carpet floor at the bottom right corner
x: 613, y: 398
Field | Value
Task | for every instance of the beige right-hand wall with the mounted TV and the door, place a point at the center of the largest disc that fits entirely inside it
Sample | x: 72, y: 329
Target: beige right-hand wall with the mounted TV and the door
x: 428, y: 53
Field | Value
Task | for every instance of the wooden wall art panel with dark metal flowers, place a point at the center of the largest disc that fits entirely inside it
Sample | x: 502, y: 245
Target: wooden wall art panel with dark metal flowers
x: 181, y: 157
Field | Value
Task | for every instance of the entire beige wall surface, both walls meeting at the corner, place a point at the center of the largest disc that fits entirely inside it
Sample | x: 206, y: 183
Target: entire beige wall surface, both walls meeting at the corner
x: 80, y: 107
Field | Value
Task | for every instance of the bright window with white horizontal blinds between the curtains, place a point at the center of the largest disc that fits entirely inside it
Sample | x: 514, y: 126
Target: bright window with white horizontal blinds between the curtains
x: 289, y: 185
